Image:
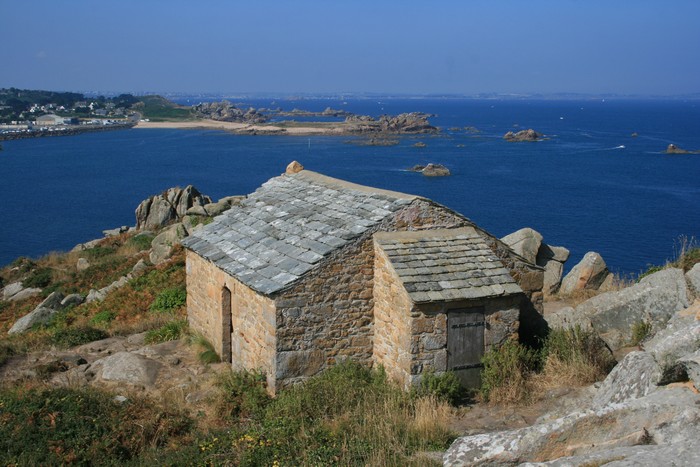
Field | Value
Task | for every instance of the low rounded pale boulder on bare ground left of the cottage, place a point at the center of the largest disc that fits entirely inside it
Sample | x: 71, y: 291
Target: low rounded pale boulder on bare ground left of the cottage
x: 126, y: 367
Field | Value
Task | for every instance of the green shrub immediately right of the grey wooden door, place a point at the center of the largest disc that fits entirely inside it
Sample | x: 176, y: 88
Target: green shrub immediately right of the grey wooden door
x: 505, y: 373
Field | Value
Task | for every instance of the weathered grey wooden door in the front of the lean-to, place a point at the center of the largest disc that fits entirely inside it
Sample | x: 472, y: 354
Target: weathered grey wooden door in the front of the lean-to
x: 465, y: 344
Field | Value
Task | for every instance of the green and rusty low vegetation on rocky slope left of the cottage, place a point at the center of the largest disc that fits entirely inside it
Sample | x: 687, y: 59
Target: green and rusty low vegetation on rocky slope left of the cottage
x: 153, y: 301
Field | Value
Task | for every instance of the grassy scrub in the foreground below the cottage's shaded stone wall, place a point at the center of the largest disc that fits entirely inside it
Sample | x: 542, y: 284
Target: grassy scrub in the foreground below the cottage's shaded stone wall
x: 348, y: 415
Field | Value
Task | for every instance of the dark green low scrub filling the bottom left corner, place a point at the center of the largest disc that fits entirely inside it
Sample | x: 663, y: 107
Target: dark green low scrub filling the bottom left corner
x: 57, y: 426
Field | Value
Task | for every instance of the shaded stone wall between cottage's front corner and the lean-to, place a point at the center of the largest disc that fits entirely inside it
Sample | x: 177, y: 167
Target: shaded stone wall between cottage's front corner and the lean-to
x: 327, y: 316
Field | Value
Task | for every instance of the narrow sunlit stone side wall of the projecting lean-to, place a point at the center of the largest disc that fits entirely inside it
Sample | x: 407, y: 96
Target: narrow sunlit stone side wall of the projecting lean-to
x: 392, y: 321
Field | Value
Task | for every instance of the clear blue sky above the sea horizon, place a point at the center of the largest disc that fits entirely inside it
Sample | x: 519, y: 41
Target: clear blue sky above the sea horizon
x: 416, y: 47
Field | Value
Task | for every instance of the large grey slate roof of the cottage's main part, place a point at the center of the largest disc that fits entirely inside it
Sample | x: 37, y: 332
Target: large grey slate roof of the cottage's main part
x: 288, y: 225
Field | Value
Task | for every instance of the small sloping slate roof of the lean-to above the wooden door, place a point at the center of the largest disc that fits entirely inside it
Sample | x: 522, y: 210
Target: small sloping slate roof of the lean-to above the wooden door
x: 446, y: 265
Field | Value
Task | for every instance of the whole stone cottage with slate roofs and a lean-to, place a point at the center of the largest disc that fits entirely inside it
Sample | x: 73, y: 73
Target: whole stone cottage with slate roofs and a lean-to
x: 309, y: 270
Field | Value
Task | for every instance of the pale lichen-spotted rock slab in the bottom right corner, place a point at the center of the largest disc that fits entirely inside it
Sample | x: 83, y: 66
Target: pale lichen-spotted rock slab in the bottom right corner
x: 668, y: 419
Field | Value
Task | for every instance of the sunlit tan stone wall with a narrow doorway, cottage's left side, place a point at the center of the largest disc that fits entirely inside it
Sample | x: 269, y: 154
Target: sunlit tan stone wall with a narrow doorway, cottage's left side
x: 253, y: 316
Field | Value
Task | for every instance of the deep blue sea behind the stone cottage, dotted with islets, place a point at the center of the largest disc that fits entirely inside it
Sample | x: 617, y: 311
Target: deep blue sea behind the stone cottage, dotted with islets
x: 590, y: 186
